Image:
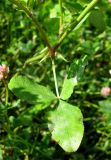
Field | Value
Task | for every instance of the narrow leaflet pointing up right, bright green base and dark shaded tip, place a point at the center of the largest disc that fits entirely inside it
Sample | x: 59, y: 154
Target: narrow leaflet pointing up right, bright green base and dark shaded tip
x: 75, y: 73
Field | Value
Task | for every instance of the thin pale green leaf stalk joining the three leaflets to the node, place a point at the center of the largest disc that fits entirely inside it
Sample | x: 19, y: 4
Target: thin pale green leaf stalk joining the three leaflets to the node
x: 55, y: 78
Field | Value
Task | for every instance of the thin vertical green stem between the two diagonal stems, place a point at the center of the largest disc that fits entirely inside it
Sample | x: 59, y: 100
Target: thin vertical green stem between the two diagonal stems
x: 61, y: 17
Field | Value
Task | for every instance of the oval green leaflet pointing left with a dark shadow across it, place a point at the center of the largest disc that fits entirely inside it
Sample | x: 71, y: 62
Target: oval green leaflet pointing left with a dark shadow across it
x: 30, y: 91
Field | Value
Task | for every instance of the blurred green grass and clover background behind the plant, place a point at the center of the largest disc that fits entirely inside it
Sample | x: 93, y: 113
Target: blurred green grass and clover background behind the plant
x: 19, y: 40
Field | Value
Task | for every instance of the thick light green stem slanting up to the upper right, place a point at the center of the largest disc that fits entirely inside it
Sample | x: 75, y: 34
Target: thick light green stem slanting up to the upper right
x: 75, y: 23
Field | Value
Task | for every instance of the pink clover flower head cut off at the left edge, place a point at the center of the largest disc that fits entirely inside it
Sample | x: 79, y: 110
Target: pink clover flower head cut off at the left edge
x: 4, y: 70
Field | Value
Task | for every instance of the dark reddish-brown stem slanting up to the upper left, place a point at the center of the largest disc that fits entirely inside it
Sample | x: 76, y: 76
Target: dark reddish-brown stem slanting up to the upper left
x: 35, y: 21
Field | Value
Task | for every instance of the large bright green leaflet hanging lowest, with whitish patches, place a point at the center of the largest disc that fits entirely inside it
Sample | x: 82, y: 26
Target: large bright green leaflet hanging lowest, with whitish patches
x: 67, y: 126
